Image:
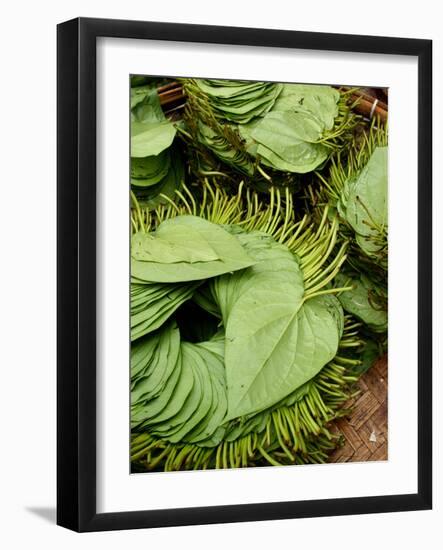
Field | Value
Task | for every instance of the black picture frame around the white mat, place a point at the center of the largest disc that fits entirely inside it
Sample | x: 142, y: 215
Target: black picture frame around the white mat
x: 76, y: 279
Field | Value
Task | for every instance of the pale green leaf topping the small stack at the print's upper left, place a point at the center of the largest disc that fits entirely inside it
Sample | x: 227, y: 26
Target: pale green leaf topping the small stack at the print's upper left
x: 151, y: 138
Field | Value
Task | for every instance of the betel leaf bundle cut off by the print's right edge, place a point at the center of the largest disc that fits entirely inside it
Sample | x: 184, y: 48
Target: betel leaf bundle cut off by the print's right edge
x: 357, y: 190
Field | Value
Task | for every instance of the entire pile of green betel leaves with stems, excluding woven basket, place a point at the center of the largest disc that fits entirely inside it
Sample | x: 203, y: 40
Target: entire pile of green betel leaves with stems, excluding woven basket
x: 258, y: 270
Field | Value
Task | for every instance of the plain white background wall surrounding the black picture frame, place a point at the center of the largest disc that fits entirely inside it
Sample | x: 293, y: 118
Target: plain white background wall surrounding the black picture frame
x: 27, y: 273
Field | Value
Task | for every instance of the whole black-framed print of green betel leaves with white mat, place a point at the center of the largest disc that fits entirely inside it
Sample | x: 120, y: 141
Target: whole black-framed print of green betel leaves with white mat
x: 244, y: 274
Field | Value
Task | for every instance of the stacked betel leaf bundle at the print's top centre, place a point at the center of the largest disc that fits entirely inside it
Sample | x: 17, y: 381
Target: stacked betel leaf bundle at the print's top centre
x: 254, y: 127
